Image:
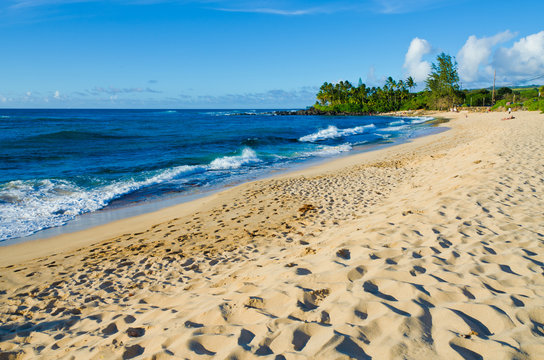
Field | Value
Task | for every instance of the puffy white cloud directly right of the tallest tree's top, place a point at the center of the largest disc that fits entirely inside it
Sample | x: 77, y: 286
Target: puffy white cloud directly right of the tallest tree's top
x: 476, y: 53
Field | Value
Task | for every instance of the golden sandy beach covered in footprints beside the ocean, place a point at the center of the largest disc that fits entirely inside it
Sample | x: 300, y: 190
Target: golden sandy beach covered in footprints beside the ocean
x: 432, y: 249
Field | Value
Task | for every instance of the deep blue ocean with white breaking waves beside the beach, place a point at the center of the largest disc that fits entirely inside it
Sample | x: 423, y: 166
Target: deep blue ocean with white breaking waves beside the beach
x: 57, y: 164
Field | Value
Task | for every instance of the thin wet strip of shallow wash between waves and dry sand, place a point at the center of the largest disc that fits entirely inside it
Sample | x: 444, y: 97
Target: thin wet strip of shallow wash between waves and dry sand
x: 108, y: 215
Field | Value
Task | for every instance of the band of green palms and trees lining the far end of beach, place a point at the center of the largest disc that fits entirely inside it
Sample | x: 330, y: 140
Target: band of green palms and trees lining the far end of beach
x: 442, y: 91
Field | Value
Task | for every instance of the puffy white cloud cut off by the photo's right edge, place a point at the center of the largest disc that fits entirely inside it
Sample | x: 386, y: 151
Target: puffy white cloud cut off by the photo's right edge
x: 524, y: 59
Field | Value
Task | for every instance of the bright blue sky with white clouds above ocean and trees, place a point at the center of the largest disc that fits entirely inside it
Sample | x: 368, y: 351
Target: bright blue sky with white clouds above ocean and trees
x: 251, y: 54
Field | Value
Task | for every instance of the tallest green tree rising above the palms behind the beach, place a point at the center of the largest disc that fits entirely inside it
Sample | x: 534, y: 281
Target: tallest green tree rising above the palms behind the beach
x: 443, y: 82
